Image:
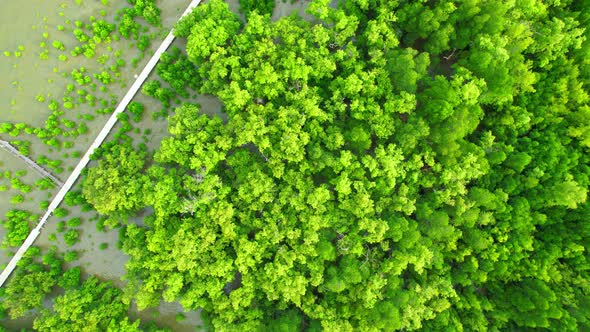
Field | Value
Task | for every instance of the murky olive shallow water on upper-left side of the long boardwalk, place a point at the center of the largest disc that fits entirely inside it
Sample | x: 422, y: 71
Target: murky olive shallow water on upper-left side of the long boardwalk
x: 22, y: 23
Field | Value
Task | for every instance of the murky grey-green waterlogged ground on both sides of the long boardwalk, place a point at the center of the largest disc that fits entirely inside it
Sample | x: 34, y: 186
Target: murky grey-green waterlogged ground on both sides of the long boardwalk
x: 26, y: 77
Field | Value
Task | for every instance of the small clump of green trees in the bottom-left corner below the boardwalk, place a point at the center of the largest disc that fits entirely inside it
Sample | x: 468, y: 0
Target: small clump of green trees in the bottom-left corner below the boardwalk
x: 89, y: 305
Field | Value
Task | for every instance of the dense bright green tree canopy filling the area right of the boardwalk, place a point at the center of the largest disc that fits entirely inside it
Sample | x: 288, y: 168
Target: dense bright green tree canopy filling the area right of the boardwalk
x: 394, y: 165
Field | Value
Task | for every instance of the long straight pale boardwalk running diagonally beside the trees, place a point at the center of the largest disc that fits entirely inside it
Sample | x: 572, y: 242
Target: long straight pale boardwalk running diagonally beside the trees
x: 86, y: 158
